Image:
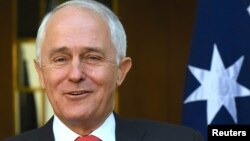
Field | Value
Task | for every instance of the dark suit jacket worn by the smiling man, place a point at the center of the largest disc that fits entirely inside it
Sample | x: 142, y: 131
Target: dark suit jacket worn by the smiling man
x: 126, y: 130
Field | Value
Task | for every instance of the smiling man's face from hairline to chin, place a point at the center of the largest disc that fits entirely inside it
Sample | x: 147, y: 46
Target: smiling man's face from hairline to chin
x: 78, y: 69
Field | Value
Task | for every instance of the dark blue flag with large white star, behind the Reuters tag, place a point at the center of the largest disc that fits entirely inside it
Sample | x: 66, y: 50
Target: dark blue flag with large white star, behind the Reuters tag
x: 217, y: 89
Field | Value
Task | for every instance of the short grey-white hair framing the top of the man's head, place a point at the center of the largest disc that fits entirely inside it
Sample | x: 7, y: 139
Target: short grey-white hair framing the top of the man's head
x: 118, y: 36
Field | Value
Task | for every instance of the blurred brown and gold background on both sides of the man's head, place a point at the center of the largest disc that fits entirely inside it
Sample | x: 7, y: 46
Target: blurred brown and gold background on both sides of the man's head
x: 159, y: 37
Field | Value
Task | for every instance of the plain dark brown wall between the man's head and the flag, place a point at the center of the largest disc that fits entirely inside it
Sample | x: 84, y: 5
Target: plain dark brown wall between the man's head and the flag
x: 159, y: 41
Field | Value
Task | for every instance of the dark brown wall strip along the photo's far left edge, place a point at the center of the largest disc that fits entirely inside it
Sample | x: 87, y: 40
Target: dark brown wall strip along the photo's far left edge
x: 6, y: 87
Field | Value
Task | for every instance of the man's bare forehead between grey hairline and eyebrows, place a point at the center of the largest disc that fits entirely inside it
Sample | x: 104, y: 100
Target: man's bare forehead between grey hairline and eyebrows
x: 76, y: 25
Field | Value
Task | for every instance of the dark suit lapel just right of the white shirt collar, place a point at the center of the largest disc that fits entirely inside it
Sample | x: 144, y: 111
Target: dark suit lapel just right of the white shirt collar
x: 127, y: 130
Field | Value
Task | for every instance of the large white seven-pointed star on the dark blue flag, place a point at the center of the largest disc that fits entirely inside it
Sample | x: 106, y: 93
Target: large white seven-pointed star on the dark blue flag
x: 219, y: 86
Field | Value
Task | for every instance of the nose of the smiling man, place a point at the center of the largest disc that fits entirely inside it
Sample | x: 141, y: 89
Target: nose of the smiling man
x: 76, y: 73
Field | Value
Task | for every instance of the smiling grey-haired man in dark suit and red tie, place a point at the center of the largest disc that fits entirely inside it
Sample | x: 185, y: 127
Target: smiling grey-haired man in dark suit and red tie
x: 81, y: 60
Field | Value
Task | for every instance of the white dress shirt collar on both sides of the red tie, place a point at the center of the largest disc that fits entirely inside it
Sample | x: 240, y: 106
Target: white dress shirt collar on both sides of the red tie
x: 106, y: 132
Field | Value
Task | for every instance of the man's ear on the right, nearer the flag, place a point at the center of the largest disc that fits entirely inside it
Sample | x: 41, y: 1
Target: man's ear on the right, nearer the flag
x: 124, y: 67
